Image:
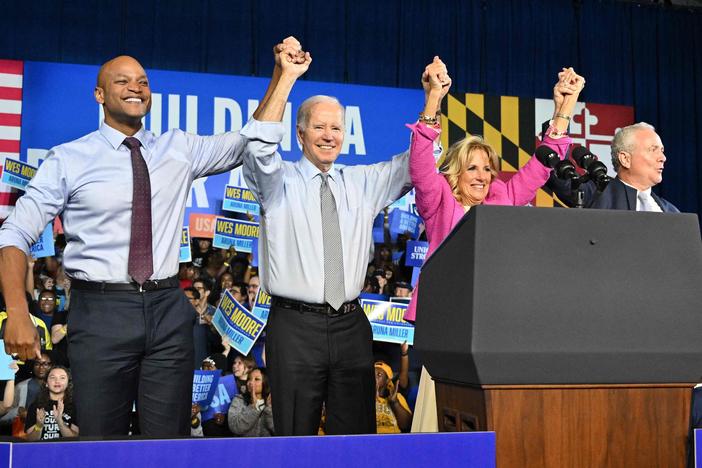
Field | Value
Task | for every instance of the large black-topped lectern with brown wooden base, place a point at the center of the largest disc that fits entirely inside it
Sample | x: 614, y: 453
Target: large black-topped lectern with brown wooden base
x: 566, y: 331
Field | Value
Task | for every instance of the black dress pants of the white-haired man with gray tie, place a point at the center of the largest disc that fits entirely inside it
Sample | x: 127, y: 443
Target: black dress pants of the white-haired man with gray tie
x: 313, y: 359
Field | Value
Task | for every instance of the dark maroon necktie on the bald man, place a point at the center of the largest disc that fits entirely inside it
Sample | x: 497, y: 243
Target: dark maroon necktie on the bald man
x: 141, y: 263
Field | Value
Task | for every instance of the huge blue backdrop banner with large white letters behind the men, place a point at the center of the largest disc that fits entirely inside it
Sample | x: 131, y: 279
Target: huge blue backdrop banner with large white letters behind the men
x: 208, y: 104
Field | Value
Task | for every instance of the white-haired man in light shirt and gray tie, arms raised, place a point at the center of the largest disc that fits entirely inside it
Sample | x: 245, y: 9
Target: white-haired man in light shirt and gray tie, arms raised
x: 318, y: 355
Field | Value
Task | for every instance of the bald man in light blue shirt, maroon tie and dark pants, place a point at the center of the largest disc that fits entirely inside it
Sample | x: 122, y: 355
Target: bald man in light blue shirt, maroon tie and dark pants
x: 128, y: 340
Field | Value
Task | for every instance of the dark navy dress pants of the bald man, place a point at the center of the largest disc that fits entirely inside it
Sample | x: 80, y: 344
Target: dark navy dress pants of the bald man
x: 127, y: 346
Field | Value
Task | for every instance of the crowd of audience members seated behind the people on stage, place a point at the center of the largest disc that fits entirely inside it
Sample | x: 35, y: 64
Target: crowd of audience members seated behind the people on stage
x: 38, y: 403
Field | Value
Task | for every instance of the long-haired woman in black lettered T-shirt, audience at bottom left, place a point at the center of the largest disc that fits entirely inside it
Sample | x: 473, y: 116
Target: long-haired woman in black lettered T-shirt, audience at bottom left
x: 53, y: 415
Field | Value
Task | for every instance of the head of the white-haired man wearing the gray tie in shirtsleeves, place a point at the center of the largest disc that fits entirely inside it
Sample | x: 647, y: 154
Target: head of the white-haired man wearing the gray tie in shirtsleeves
x: 323, y: 134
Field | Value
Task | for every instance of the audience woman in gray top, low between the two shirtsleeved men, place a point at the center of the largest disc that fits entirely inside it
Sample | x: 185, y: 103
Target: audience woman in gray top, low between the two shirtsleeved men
x: 250, y: 413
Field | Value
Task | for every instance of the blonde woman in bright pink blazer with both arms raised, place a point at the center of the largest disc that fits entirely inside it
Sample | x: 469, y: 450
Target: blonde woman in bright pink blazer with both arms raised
x: 467, y: 175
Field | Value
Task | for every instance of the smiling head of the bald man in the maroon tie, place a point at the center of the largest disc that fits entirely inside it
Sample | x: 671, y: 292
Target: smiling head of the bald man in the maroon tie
x: 123, y: 90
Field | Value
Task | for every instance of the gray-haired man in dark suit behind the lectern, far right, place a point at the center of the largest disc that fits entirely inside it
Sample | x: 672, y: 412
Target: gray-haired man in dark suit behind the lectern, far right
x: 638, y: 158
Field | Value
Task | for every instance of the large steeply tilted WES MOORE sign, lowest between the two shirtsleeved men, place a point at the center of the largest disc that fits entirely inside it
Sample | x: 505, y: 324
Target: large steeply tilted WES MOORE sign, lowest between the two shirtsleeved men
x: 232, y: 320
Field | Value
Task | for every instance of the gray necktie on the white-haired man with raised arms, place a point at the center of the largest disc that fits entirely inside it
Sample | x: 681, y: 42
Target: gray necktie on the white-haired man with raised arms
x: 334, y: 293
